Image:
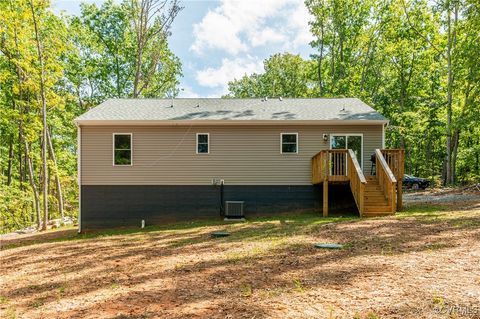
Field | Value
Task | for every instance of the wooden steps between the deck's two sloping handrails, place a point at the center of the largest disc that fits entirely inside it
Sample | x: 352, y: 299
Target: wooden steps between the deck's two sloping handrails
x: 375, y: 202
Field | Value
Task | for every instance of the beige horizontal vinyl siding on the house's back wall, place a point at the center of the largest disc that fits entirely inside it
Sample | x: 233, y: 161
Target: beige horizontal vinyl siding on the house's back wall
x: 241, y: 155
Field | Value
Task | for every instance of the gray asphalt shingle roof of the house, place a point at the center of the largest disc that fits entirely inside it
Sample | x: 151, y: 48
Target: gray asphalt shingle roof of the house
x: 187, y: 109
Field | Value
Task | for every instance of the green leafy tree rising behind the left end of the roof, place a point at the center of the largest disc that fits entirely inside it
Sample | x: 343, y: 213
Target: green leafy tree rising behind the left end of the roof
x: 120, y: 54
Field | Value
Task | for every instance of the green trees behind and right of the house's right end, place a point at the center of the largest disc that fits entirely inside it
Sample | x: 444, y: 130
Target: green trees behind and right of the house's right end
x: 417, y: 62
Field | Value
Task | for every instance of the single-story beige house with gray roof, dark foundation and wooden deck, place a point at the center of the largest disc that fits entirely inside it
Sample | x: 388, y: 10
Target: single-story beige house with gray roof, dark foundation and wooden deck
x: 155, y: 160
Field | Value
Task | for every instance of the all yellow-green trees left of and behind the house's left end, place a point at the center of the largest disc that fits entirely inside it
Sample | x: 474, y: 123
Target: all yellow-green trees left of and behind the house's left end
x: 69, y: 64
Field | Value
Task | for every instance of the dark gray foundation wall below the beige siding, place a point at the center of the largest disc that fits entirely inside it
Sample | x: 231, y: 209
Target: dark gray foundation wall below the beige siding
x: 126, y: 205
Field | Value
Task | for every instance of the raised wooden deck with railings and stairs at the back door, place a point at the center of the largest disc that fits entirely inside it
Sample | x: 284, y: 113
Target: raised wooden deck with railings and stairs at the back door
x: 380, y: 194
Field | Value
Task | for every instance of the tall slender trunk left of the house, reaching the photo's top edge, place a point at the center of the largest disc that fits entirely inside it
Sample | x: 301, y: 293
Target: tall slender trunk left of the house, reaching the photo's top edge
x: 44, y: 119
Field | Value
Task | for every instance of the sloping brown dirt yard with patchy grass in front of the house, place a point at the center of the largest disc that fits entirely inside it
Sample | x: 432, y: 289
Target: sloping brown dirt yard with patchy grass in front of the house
x: 422, y: 263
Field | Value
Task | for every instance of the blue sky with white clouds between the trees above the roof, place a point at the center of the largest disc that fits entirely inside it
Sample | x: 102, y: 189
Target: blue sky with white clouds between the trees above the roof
x: 218, y: 41
